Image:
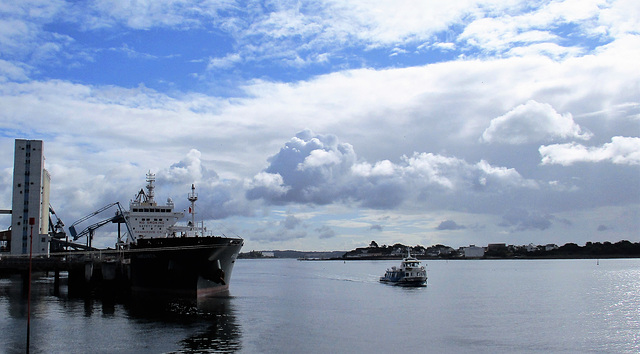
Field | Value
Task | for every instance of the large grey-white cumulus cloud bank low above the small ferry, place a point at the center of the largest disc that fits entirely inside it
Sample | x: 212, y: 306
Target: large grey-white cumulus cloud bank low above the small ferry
x: 319, y: 169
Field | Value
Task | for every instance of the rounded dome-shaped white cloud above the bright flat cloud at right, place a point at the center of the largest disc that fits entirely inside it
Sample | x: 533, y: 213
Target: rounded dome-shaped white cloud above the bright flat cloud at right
x: 532, y: 122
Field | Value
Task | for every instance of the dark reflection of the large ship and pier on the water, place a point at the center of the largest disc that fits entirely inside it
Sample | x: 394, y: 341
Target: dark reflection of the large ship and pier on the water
x: 156, y: 323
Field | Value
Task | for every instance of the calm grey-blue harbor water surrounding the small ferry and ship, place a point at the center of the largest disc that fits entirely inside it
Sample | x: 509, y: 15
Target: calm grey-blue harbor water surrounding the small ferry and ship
x: 290, y: 306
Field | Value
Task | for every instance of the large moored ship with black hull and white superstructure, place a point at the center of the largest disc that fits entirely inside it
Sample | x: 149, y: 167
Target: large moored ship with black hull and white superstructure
x: 175, y: 259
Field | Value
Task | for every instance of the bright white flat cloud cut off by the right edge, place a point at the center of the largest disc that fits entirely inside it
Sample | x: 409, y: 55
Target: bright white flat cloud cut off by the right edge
x: 621, y: 150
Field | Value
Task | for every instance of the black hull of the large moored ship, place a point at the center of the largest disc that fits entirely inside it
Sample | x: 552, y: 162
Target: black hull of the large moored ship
x: 183, y: 266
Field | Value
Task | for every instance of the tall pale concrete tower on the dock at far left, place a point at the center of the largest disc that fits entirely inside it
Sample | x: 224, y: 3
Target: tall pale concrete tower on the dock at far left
x: 30, y: 198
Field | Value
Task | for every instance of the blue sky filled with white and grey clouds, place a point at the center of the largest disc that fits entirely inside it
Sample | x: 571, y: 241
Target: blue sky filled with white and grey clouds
x: 325, y: 125
